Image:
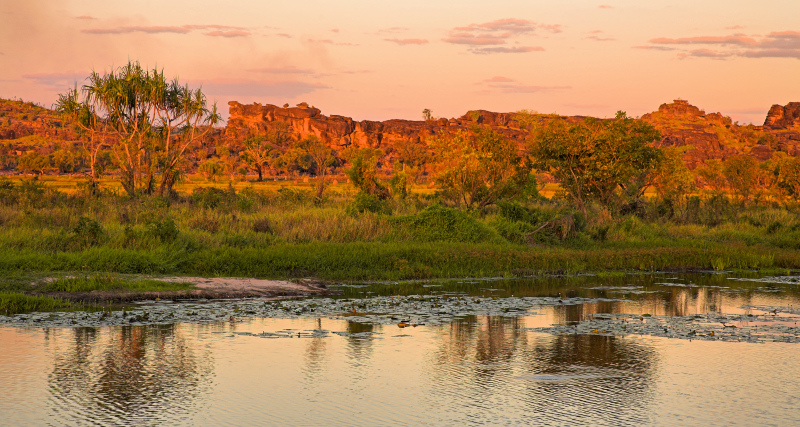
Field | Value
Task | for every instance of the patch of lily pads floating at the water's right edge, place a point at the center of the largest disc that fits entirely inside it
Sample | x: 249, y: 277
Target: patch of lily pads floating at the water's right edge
x: 766, y: 327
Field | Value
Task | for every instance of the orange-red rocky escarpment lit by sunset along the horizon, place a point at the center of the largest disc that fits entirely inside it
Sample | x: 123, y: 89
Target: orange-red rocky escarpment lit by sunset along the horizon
x: 27, y: 128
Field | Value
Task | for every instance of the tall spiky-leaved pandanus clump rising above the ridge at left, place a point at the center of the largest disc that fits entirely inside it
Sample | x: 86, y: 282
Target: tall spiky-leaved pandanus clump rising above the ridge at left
x: 150, y: 121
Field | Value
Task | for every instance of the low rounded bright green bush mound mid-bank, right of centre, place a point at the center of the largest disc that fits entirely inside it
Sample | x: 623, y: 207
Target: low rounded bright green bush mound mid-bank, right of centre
x: 437, y: 223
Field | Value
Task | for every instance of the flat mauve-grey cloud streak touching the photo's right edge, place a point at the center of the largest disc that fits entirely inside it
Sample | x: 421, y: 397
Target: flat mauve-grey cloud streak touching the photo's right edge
x: 778, y: 44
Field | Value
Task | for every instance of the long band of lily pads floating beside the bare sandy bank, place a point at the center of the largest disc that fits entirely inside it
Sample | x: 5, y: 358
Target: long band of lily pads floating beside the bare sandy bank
x: 404, y: 311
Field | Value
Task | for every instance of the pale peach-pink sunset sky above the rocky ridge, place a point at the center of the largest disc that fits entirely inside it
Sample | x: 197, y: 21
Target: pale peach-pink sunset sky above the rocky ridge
x: 383, y: 59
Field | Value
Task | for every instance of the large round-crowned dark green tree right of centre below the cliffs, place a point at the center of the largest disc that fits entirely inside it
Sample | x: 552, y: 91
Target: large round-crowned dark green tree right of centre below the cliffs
x: 607, y: 161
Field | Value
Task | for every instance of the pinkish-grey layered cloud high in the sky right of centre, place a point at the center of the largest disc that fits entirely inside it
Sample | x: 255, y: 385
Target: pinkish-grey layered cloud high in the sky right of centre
x: 497, y: 33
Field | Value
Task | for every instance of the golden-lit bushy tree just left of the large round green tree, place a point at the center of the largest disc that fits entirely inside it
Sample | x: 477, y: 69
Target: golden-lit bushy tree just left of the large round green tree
x: 480, y: 168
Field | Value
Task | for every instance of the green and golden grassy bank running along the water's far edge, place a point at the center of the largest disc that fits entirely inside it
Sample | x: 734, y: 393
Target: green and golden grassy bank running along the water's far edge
x: 285, y: 233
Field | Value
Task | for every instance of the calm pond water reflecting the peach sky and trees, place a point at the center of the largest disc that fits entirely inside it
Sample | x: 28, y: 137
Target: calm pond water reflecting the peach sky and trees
x: 474, y: 369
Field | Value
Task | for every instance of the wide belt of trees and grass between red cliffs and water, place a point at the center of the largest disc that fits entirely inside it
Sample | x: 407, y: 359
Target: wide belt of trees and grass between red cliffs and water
x: 166, y: 192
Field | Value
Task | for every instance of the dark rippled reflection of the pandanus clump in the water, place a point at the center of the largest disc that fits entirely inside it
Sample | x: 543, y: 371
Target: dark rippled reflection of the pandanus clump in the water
x: 124, y: 374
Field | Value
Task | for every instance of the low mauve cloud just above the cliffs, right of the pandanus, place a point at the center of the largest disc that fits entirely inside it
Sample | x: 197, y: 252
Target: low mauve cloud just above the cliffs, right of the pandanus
x: 285, y: 89
